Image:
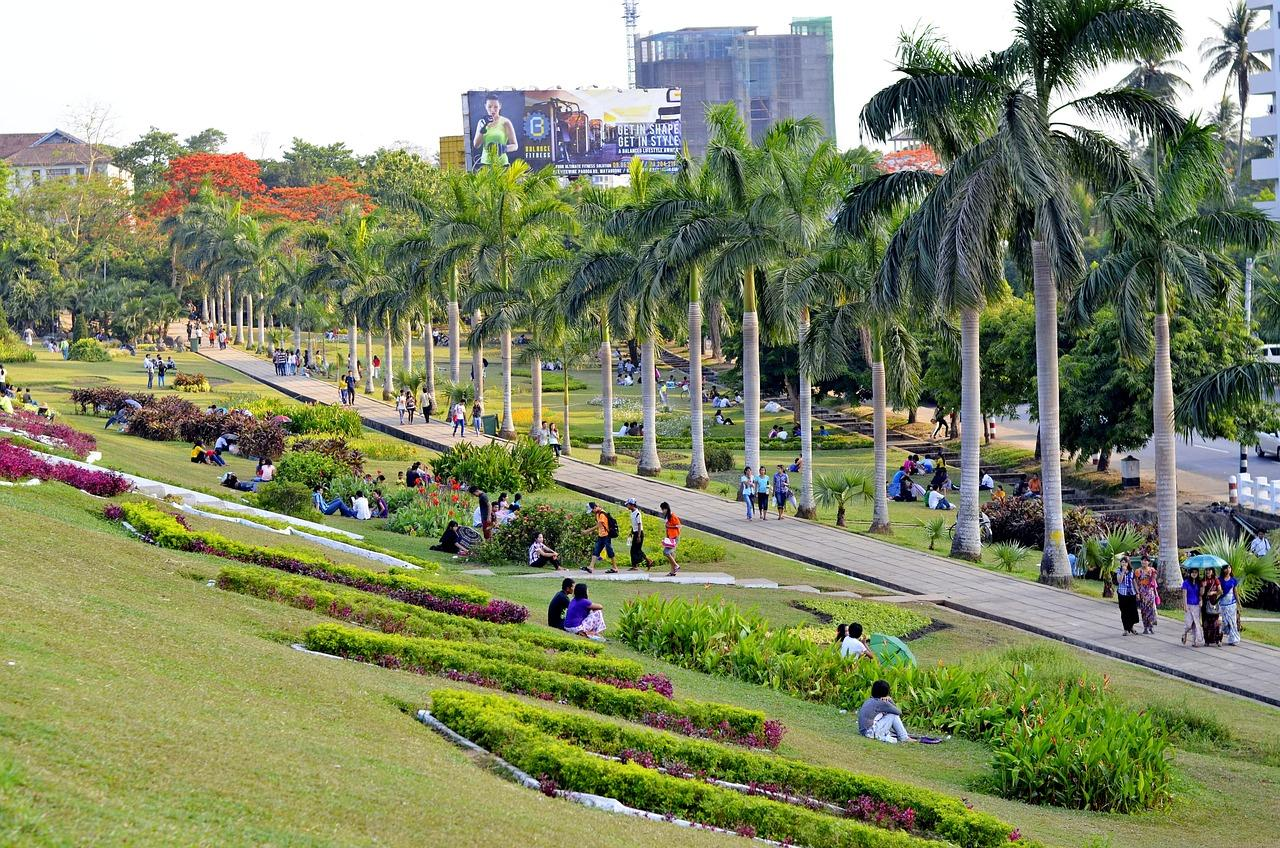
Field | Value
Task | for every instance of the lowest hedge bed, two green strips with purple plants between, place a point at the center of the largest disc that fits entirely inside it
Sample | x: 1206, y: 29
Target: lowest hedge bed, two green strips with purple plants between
x: 564, y: 747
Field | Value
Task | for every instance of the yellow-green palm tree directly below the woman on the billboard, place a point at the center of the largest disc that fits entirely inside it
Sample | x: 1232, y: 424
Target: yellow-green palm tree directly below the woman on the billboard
x: 510, y: 209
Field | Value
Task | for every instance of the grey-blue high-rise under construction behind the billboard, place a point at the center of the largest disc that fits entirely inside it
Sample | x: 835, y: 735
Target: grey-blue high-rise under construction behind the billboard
x: 767, y: 76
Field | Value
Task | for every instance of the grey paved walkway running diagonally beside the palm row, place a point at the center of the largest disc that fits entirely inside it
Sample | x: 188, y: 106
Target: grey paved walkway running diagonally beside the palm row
x: 1251, y: 669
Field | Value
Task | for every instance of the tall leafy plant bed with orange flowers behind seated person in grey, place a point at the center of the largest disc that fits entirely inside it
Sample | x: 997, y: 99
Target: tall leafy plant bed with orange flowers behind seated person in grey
x: 998, y: 704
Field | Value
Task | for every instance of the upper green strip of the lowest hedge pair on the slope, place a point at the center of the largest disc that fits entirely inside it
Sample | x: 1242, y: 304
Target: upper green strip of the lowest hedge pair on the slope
x: 935, y: 813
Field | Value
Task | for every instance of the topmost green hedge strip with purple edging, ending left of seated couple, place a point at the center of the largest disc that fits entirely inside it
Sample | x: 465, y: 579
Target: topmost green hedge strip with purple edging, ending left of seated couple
x: 167, y: 531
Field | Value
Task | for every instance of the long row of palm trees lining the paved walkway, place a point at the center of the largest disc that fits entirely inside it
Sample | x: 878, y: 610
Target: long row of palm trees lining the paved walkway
x: 834, y: 254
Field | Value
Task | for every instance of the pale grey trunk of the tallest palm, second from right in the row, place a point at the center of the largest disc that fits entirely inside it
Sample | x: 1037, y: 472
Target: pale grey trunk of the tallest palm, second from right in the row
x: 1055, y: 568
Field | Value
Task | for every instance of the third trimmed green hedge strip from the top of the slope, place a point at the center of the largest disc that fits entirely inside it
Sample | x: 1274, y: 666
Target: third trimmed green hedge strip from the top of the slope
x: 720, y: 719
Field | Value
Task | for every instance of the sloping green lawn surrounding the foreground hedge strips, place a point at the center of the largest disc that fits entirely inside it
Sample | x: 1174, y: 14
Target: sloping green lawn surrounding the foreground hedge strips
x: 161, y: 712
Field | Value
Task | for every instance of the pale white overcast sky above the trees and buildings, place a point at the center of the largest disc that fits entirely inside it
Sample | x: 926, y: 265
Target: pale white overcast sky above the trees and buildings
x: 383, y: 74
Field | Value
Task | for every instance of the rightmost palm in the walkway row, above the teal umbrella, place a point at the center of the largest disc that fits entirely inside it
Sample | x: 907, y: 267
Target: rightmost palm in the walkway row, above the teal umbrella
x: 1169, y: 249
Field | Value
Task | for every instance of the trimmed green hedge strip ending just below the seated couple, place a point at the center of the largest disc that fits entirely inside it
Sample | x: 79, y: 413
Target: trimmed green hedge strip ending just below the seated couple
x: 386, y: 616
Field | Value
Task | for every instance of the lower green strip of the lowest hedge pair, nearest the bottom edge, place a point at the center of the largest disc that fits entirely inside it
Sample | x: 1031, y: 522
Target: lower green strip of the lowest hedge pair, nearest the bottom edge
x: 572, y: 768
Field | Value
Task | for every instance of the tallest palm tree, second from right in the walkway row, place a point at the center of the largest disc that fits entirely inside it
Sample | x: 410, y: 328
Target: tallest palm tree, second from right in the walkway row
x: 1020, y: 175
